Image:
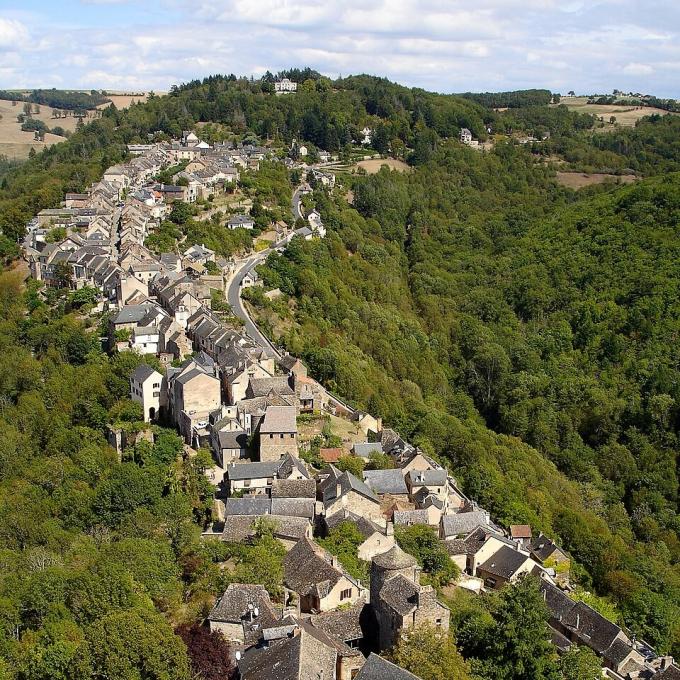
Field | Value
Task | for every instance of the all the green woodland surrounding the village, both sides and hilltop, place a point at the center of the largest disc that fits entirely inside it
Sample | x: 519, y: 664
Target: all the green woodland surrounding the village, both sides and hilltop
x: 521, y: 332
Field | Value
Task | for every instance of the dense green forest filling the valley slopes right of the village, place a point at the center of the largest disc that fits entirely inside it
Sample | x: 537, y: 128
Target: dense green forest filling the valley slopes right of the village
x: 524, y: 337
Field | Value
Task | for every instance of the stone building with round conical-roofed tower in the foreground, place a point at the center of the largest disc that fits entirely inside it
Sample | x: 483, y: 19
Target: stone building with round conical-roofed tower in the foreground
x: 398, y: 600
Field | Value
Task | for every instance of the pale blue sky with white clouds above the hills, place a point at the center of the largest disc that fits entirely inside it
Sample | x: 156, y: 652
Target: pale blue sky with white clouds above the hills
x: 589, y: 46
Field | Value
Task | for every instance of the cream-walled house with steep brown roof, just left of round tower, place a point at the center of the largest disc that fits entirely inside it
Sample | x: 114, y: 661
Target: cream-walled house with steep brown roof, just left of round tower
x: 318, y: 579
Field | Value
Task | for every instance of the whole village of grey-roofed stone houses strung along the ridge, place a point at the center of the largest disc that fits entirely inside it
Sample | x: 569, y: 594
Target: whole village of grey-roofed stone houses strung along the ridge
x: 227, y: 388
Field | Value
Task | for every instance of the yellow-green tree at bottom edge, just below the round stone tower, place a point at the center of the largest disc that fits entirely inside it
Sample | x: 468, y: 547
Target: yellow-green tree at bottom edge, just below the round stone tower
x: 431, y: 654
